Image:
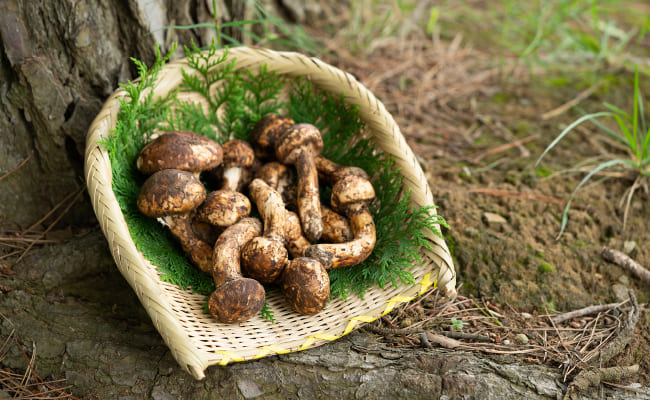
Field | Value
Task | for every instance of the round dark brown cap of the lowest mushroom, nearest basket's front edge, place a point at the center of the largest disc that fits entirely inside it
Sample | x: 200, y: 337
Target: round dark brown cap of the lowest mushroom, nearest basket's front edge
x: 237, y: 300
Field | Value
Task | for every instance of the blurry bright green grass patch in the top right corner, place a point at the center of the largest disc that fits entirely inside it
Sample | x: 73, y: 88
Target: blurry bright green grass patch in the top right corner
x: 546, y: 33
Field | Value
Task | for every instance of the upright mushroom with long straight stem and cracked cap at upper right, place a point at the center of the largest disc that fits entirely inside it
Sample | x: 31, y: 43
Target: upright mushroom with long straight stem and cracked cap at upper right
x: 298, y: 146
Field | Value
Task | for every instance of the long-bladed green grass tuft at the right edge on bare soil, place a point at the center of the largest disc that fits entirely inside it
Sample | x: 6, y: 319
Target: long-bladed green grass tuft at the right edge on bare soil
x: 633, y: 133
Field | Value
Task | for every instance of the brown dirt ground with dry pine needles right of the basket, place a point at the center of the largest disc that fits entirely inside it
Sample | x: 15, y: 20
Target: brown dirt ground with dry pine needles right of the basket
x: 478, y: 125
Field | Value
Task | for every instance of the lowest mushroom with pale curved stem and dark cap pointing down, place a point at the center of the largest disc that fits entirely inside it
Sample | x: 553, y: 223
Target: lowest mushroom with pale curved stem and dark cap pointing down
x: 236, y: 298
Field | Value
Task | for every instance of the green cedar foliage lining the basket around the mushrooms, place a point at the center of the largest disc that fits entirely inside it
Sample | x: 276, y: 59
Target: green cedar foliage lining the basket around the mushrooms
x: 236, y: 101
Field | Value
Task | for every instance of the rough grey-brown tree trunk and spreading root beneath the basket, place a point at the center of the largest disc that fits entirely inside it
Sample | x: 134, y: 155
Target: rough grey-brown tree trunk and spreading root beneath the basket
x: 66, y: 303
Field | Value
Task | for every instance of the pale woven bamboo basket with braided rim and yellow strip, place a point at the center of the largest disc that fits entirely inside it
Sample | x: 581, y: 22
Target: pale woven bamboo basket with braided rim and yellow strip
x: 195, y: 339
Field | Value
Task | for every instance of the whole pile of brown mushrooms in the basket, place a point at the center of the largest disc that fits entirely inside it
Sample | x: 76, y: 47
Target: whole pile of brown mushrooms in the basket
x: 295, y: 240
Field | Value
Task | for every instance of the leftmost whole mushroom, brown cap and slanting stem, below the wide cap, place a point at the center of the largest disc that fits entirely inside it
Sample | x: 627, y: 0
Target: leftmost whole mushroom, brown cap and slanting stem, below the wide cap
x: 172, y: 195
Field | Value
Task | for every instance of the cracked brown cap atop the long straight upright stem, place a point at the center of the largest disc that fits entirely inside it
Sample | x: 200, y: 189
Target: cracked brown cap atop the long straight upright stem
x: 294, y: 140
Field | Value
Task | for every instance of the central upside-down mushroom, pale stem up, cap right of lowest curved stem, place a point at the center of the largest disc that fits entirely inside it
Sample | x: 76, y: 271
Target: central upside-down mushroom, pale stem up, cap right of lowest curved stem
x: 264, y: 257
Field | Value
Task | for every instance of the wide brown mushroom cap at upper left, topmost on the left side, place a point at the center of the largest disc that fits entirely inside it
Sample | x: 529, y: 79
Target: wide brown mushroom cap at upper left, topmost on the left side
x: 184, y: 150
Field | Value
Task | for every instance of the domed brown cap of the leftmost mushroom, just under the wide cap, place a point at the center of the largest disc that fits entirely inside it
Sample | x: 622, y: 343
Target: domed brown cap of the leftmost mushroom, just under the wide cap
x: 170, y: 191
